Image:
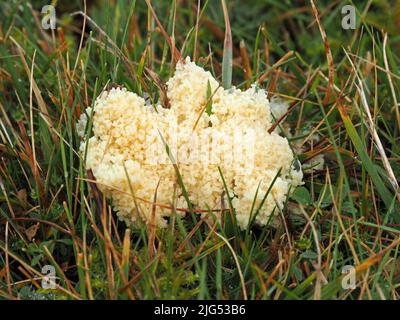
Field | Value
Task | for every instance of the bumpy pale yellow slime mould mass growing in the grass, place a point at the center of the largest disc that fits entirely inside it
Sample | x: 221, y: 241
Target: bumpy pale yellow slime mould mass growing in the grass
x: 128, y: 158
